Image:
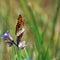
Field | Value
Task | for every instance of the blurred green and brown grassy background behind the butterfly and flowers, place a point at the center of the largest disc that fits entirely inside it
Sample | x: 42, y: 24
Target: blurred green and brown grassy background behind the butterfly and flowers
x: 42, y: 31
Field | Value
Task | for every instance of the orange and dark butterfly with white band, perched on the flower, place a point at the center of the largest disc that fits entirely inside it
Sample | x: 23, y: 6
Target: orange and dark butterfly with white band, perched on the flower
x: 19, y: 30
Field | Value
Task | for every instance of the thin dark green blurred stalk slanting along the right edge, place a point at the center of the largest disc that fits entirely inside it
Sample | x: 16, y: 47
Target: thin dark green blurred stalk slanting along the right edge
x: 54, y: 22
